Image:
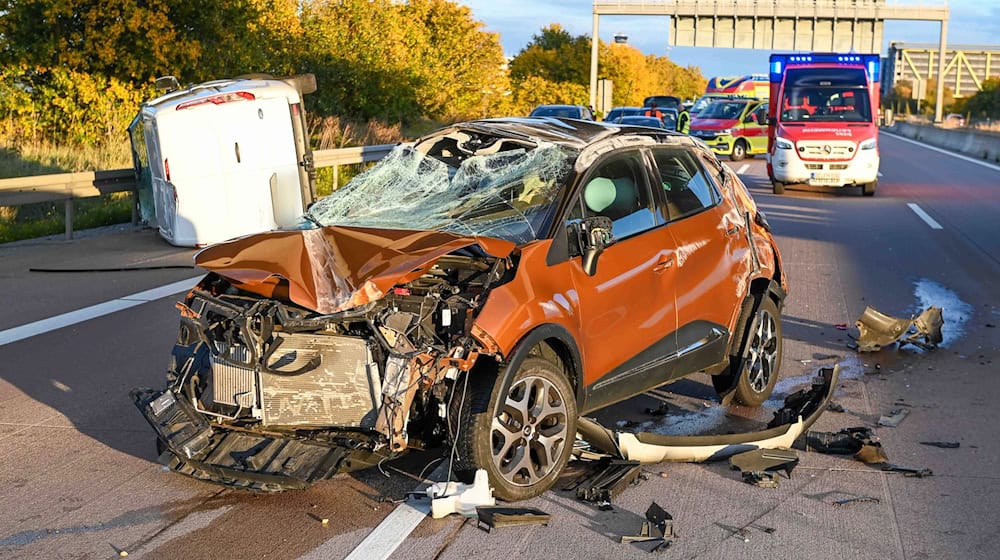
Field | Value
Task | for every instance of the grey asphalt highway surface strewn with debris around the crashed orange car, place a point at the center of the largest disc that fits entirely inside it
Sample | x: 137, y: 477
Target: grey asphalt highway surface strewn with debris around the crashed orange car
x: 78, y: 477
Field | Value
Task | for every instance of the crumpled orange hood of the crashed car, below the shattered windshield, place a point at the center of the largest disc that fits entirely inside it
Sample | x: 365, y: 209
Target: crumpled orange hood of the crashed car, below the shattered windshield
x: 334, y: 268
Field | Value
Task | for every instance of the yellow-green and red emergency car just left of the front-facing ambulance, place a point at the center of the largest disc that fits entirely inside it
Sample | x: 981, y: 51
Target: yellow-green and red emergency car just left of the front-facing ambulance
x: 733, y: 126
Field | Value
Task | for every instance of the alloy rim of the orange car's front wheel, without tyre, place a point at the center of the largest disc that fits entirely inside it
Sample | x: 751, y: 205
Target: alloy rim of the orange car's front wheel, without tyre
x: 529, y: 432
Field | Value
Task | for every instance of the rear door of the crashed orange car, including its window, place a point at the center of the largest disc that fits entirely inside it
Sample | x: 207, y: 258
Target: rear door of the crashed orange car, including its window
x: 710, y: 239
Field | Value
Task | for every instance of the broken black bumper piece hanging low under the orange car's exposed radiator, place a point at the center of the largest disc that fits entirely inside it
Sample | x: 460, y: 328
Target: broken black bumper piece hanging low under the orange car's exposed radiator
x: 249, y: 460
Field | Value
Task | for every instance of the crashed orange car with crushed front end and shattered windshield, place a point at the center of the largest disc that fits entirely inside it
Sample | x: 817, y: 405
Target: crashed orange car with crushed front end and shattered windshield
x: 480, y: 289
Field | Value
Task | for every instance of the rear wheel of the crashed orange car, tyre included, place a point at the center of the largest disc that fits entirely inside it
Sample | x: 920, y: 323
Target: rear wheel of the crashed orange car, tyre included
x: 761, y: 355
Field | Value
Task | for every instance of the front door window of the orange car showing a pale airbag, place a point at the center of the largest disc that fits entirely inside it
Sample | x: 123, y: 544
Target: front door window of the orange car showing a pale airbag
x: 617, y: 189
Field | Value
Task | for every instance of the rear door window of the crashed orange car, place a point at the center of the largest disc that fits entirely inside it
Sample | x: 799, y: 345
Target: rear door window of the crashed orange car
x: 686, y: 187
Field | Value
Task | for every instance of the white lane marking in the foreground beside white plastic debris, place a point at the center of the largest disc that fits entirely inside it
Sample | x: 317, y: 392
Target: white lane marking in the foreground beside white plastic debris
x: 394, y: 529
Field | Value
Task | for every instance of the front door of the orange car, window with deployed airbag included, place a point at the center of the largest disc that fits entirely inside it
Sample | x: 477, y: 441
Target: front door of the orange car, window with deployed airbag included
x: 627, y: 313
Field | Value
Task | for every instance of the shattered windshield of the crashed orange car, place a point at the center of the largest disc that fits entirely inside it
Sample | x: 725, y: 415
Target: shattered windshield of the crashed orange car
x: 456, y: 187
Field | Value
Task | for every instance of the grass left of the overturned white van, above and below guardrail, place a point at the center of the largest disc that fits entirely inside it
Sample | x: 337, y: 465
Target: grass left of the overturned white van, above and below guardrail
x: 47, y: 218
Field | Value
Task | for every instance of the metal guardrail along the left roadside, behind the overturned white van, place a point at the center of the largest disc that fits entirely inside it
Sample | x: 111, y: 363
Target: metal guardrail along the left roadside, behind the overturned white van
x: 68, y: 187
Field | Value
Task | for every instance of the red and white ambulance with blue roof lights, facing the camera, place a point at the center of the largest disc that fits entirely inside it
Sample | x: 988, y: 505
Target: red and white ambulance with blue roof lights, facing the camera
x: 823, y: 120
